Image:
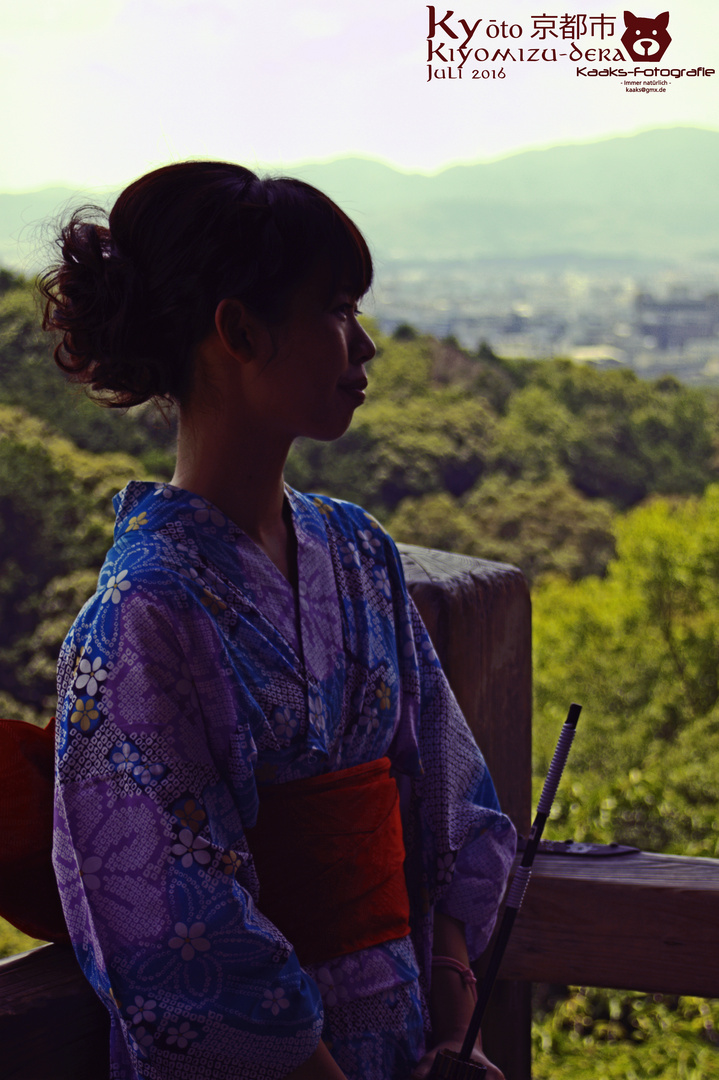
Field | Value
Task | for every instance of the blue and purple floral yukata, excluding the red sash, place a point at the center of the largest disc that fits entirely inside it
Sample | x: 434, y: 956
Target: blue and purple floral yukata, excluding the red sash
x: 194, y: 677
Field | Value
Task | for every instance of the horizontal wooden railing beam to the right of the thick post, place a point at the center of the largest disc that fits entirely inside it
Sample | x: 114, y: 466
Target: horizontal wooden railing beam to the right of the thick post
x: 637, y: 922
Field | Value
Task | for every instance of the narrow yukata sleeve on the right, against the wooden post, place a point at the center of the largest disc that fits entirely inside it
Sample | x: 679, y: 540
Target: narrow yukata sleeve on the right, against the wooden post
x: 462, y: 846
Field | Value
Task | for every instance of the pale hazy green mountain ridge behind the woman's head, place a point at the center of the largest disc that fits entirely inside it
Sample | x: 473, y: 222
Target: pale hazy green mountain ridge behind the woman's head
x: 653, y: 196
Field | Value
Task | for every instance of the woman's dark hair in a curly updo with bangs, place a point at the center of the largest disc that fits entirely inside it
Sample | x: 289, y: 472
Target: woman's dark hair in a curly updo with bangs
x: 133, y: 299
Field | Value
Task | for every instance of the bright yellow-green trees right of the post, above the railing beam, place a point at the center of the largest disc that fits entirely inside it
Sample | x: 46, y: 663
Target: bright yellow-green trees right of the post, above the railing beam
x: 640, y: 650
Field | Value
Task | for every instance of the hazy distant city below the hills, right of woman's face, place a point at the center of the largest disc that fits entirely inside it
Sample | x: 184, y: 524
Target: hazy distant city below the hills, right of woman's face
x: 655, y: 320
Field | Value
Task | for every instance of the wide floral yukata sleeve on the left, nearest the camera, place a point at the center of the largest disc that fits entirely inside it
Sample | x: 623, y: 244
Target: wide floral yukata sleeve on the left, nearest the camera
x: 157, y: 883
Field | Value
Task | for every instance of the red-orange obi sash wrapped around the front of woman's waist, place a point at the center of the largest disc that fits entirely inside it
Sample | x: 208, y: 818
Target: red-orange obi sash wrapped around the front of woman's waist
x: 330, y: 857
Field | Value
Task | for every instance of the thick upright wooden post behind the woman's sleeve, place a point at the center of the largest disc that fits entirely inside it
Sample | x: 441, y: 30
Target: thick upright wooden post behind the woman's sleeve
x: 479, y: 616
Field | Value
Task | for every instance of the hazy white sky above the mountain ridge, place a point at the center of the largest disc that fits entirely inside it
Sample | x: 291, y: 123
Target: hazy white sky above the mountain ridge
x: 96, y: 92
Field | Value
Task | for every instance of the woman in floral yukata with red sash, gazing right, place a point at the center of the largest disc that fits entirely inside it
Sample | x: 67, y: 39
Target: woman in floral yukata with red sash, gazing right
x: 249, y: 646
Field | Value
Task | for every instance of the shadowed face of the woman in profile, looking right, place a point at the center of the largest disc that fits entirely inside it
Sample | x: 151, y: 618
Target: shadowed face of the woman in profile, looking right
x: 316, y: 380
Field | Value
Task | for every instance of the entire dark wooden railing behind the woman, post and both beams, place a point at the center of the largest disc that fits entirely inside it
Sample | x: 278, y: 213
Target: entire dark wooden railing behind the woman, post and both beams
x: 641, y: 922
